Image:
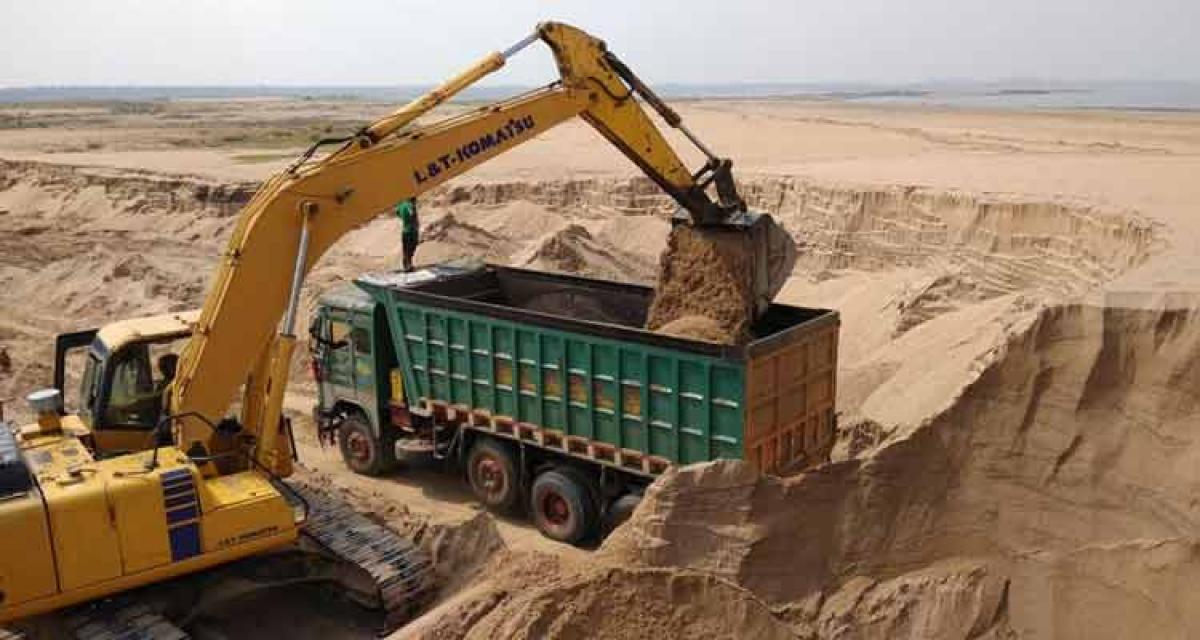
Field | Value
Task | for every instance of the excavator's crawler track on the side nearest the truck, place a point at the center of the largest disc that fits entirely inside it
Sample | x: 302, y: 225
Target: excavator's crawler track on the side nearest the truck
x: 400, y: 577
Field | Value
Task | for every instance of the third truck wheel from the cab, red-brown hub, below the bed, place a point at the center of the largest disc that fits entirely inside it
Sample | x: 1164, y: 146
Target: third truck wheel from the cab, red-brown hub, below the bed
x: 562, y: 506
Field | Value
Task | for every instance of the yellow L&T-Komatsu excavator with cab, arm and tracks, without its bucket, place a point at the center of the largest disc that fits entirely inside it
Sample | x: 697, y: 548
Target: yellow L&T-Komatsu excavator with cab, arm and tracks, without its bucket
x: 179, y: 470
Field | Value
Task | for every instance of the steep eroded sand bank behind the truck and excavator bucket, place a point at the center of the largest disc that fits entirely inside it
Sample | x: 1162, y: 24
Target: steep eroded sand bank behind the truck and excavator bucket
x: 1007, y: 242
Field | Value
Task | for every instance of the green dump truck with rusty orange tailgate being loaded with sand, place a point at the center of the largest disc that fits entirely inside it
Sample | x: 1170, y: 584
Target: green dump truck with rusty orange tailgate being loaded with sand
x: 548, y: 392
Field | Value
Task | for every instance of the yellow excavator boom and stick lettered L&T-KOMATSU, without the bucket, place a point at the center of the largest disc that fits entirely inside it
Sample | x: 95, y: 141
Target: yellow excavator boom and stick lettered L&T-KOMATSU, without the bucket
x: 245, y: 333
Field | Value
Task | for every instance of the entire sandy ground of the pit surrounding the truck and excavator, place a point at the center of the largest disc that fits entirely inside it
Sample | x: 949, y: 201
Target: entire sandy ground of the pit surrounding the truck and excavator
x: 1018, y: 363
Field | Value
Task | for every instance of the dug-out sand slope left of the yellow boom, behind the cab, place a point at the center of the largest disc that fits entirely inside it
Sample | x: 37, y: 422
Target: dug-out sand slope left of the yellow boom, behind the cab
x: 83, y: 247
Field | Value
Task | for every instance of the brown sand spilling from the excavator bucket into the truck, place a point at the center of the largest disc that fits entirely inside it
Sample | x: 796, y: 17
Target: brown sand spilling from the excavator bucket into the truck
x: 706, y: 273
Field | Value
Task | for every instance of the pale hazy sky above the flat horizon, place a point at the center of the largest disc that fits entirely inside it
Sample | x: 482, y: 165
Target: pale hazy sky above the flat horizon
x: 377, y: 43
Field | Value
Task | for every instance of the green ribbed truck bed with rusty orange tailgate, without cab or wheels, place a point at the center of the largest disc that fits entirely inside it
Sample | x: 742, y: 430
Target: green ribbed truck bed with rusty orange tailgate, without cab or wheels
x: 563, y: 363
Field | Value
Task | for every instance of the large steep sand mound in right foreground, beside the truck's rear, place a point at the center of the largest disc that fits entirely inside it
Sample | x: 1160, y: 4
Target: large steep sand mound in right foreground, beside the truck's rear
x: 1036, y: 503
